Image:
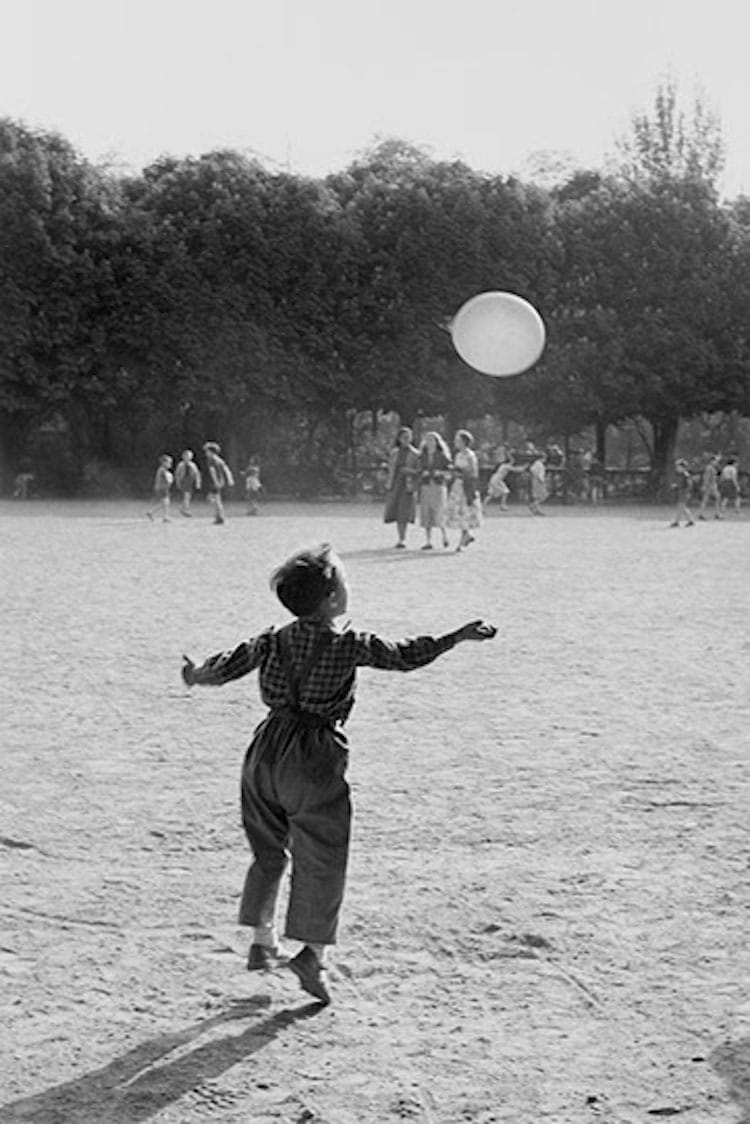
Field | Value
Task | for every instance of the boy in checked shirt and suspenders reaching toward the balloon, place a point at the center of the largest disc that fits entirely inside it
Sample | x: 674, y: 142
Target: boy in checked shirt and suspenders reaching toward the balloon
x: 294, y: 791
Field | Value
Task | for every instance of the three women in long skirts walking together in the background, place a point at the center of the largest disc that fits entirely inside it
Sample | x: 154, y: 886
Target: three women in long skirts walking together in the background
x: 445, y: 488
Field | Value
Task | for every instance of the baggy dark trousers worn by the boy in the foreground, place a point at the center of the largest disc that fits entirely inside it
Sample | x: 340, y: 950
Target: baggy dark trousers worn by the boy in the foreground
x: 295, y: 799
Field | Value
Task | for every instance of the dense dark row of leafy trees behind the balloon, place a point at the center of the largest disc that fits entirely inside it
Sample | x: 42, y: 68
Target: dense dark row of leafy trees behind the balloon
x: 282, y: 315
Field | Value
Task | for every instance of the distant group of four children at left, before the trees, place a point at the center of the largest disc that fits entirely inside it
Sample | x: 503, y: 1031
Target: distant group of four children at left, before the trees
x: 188, y: 479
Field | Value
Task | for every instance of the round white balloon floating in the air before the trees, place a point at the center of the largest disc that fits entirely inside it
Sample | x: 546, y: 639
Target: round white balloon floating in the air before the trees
x: 499, y: 334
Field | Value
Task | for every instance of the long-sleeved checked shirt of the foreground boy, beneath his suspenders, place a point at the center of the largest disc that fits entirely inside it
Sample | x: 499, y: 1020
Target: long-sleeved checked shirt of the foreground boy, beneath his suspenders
x: 330, y: 688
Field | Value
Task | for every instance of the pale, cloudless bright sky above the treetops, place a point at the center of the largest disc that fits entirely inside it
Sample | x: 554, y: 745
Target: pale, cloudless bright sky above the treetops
x: 309, y: 84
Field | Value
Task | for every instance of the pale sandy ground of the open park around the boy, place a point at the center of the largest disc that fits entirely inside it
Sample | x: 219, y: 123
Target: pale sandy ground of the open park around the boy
x: 547, y: 917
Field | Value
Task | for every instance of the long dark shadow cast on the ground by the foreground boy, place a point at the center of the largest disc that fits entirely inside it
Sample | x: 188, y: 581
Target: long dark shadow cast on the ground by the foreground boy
x: 134, y: 1087
